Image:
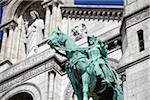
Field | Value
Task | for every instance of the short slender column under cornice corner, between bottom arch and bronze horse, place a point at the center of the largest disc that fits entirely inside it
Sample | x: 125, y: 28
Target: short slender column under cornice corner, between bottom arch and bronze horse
x: 51, y: 86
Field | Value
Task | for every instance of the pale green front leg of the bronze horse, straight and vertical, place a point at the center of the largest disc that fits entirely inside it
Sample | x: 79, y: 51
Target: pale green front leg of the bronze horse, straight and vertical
x: 85, y: 83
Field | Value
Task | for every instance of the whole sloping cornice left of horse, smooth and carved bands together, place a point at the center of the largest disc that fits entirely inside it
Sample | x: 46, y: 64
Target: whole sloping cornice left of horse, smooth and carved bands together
x: 29, y: 68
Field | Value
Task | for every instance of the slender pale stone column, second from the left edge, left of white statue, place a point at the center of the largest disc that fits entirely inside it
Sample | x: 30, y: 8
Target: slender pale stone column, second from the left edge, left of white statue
x: 9, y: 43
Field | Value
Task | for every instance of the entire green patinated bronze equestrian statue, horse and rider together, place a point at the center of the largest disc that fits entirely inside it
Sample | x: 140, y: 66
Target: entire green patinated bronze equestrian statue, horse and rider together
x: 87, y: 68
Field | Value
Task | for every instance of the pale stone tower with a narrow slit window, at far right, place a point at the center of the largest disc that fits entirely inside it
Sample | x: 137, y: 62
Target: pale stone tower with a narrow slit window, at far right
x: 136, y: 49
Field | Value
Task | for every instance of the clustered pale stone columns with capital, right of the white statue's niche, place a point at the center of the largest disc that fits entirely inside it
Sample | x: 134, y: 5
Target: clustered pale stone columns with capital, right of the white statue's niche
x: 52, y: 19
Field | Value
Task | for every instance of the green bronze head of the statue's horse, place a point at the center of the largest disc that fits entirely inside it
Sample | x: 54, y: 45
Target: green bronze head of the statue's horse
x: 57, y: 38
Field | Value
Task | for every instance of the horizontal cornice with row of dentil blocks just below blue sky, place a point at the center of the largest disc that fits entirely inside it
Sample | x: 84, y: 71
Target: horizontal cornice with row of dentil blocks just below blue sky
x: 90, y: 12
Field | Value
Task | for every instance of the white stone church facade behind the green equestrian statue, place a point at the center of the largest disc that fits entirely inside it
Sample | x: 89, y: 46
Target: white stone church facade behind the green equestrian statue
x: 31, y: 70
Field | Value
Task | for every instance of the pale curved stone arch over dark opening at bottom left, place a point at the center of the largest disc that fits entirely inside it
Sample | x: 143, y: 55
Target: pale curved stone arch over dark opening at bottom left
x: 30, y: 88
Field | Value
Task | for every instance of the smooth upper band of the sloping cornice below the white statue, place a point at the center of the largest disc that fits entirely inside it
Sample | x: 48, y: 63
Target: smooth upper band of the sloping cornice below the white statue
x: 26, y: 64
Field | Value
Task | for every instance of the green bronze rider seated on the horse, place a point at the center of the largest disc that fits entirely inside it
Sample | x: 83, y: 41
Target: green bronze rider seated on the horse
x: 97, y: 54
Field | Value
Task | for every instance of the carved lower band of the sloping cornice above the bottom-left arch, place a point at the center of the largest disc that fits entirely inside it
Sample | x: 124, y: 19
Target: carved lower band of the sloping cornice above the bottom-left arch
x: 48, y: 66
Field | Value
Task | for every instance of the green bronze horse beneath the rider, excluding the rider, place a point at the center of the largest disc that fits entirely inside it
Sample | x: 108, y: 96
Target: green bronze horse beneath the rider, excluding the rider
x: 79, y: 71
